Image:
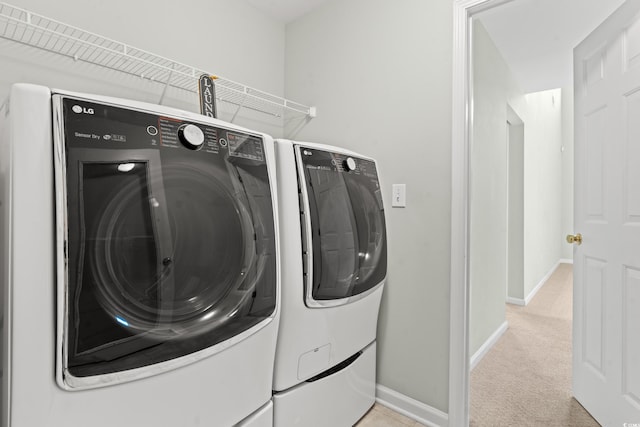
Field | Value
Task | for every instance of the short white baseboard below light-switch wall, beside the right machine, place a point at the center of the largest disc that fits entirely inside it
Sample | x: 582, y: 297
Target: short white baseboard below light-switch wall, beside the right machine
x: 411, y: 408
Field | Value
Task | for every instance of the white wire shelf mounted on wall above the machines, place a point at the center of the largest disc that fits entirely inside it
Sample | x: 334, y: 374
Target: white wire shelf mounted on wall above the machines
x: 25, y: 27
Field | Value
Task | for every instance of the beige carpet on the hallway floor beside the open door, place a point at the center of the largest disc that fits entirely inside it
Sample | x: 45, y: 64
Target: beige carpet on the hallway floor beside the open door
x: 525, y: 380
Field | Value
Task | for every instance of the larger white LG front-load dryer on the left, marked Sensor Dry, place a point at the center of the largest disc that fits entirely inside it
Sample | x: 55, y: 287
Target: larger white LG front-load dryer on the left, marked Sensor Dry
x: 140, y: 265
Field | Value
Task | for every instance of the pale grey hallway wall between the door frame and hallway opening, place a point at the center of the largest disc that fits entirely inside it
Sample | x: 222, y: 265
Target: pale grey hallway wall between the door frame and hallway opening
x: 494, y: 88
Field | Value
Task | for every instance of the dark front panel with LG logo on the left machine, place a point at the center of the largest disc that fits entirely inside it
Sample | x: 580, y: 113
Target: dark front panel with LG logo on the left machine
x: 170, y: 242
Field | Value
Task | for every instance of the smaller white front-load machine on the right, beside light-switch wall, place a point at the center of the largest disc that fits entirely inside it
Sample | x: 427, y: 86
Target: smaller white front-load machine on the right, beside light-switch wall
x: 334, y: 268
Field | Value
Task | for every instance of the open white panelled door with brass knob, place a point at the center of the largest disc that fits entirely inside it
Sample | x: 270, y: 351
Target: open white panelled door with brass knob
x: 606, y: 334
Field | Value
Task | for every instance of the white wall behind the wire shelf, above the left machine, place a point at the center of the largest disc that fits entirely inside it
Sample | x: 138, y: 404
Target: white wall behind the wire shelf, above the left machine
x: 224, y: 37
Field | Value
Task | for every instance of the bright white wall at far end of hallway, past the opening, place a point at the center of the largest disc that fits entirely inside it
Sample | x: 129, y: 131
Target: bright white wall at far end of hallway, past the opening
x: 542, y: 186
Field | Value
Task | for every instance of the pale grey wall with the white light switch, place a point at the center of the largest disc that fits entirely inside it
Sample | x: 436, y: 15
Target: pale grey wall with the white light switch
x: 380, y: 74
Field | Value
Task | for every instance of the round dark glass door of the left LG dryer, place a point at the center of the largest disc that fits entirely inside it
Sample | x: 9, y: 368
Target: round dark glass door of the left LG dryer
x: 161, y: 265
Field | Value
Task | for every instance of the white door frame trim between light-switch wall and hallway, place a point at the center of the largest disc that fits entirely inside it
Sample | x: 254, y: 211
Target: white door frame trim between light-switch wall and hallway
x: 462, y: 121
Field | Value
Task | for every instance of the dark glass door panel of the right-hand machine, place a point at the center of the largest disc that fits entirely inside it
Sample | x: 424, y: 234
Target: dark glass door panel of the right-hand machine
x: 344, y: 227
